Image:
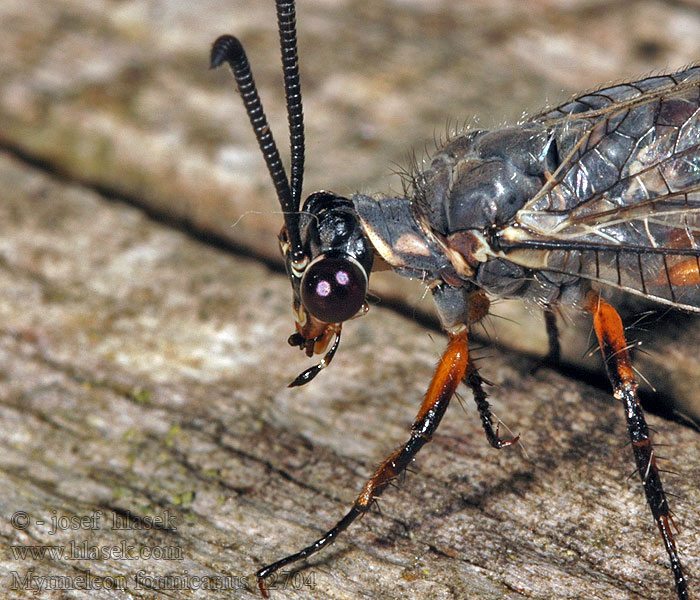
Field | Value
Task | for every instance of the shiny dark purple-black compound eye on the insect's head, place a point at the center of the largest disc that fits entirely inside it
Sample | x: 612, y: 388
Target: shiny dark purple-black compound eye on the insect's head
x: 334, y: 289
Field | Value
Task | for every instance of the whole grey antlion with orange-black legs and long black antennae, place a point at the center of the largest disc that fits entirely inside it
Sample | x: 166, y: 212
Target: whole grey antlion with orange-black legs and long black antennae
x: 601, y: 192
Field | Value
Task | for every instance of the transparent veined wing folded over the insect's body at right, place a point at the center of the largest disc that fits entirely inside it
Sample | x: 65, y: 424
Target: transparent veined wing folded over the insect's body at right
x: 623, y: 206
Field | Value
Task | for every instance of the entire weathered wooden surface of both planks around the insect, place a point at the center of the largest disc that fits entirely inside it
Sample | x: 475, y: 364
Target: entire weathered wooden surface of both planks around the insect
x: 143, y: 366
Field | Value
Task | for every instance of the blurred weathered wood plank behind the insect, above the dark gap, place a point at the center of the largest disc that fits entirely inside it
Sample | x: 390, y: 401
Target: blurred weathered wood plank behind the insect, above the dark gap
x: 120, y: 96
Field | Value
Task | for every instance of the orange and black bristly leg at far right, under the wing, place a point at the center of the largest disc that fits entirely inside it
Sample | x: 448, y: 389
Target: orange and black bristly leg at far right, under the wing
x: 611, y: 337
